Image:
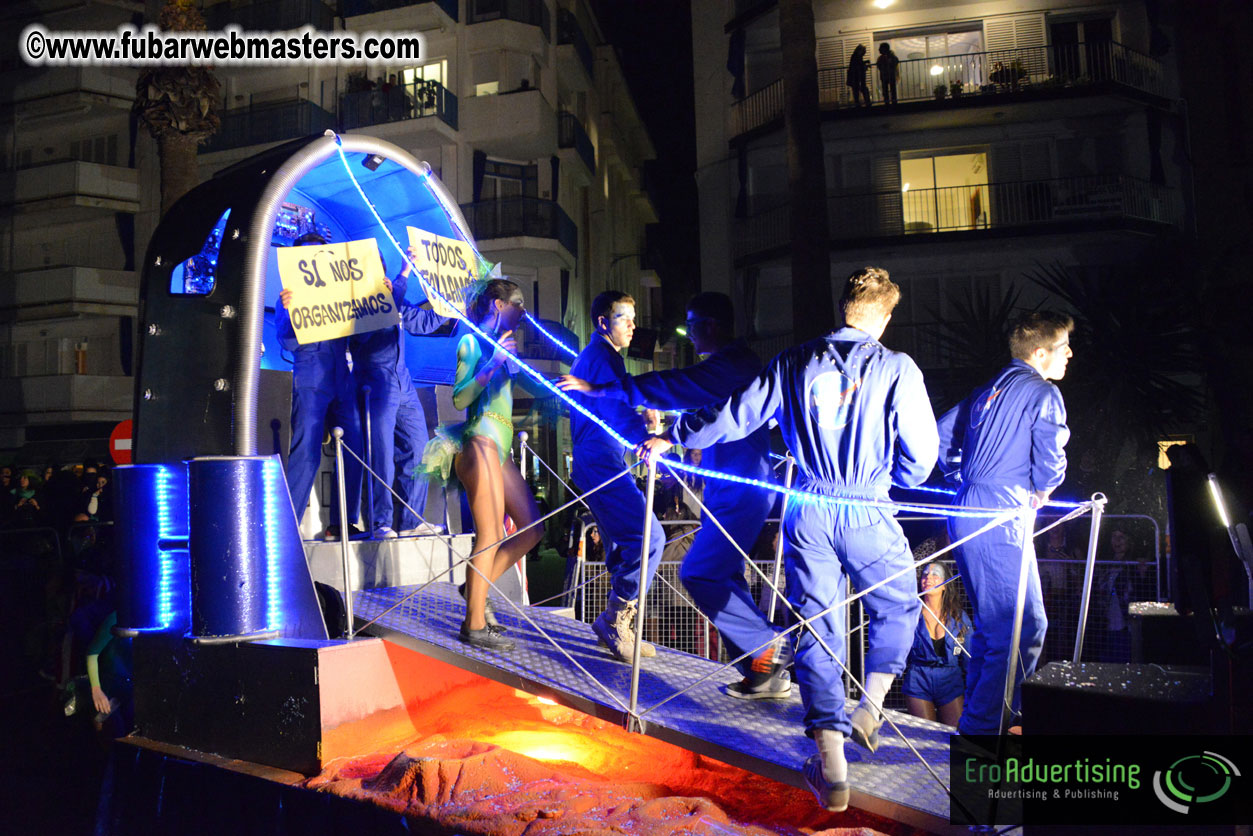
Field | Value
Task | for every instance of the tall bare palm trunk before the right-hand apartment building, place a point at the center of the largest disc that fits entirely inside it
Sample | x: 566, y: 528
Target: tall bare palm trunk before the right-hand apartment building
x: 813, y: 309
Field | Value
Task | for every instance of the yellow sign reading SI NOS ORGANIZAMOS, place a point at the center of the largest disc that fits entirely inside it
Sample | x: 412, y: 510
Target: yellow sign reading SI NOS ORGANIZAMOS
x: 338, y: 290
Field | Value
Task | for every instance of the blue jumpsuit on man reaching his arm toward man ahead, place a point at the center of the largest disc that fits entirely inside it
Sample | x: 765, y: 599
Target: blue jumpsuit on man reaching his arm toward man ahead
x: 714, y: 571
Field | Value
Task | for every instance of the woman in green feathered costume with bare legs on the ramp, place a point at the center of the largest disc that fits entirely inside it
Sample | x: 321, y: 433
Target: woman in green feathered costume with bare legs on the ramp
x: 478, y: 452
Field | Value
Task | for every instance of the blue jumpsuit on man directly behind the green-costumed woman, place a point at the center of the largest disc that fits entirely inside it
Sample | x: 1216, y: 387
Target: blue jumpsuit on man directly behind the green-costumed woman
x: 620, y: 507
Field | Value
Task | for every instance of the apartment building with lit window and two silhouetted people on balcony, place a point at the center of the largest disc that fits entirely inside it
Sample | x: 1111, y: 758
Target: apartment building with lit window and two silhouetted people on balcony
x: 1024, y: 135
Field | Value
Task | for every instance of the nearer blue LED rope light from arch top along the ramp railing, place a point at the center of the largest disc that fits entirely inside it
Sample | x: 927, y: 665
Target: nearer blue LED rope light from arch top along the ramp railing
x: 804, y: 497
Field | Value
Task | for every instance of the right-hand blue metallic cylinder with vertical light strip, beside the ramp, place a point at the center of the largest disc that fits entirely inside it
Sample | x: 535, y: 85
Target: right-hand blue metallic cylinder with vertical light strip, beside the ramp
x: 249, y: 572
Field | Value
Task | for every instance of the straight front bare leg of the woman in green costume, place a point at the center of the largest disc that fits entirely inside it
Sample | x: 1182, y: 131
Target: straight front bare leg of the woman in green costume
x: 478, y: 468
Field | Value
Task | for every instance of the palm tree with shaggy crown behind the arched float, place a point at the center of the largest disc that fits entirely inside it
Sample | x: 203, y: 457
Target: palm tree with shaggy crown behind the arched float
x: 180, y: 107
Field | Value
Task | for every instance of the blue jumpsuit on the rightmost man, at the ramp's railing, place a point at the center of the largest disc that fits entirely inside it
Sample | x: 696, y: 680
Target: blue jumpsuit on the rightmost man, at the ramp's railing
x: 1009, y: 437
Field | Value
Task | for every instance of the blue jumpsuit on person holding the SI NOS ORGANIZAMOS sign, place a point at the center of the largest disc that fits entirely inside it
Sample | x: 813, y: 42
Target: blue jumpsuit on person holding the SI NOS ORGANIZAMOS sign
x: 321, y: 388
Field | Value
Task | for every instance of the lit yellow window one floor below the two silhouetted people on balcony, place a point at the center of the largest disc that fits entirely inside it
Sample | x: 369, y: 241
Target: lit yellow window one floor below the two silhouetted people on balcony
x: 945, y: 191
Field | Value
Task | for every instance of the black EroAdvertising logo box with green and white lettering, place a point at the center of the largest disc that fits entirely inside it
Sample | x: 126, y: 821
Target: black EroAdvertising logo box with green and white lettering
x: 1089, y: 780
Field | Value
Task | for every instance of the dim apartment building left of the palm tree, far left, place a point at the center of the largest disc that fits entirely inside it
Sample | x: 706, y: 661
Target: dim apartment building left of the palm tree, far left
x: 71, y: 191
